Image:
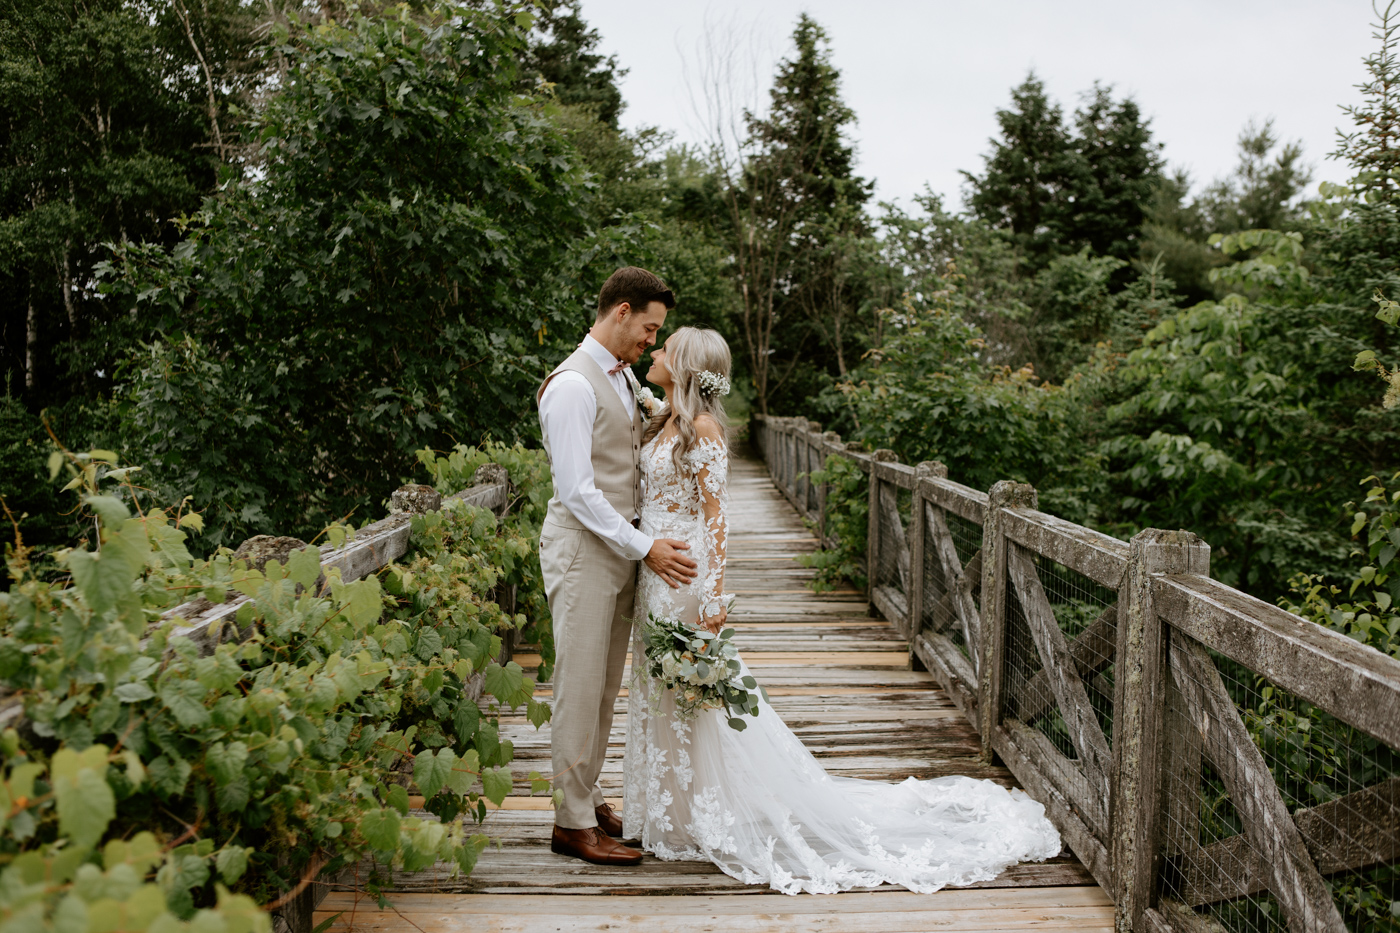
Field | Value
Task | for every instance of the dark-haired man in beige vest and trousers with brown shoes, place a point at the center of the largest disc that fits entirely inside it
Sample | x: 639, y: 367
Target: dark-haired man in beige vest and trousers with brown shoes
x: 590, y: 546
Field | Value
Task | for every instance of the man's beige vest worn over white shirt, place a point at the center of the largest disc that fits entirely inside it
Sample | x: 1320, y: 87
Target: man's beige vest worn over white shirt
x: 617, y: 443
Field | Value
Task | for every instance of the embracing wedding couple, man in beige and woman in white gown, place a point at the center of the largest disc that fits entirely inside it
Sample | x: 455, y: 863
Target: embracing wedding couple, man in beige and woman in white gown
x: 639, y: 529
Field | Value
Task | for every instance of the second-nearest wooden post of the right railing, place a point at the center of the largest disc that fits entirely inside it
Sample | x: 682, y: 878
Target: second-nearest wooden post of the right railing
x: 993, y: 642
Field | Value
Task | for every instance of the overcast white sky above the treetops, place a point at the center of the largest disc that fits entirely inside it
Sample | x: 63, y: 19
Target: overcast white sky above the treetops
x: 927, y: 76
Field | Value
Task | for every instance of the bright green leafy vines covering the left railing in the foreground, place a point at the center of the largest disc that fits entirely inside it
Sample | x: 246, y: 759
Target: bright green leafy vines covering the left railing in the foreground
x: 274, y: 754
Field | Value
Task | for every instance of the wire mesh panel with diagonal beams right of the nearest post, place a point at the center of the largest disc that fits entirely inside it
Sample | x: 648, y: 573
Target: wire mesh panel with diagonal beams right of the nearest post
x: 1276, y: 816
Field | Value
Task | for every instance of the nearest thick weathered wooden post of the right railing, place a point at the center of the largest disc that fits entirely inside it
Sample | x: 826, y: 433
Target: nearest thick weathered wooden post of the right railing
x: 1139, y: 712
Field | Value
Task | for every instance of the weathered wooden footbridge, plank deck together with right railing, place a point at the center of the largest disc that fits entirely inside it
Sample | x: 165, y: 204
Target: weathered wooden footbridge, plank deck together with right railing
x: 1212, y: 761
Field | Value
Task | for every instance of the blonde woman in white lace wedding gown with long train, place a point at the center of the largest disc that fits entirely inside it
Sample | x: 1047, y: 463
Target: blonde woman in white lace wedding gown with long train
x: 757, y: 802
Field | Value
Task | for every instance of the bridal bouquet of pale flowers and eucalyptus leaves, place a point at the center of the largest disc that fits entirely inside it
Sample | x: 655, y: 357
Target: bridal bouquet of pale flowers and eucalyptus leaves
x: 702, y: 669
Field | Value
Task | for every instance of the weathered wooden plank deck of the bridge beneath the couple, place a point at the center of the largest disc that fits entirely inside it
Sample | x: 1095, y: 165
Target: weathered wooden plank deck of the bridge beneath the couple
x: 842, y: 682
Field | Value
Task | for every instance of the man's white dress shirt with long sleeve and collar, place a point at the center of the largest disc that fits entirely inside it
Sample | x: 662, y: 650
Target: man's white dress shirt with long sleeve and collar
x: 566, y: 414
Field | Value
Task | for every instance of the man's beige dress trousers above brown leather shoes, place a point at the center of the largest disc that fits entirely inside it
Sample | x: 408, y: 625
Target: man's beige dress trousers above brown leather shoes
x: 590, y: 590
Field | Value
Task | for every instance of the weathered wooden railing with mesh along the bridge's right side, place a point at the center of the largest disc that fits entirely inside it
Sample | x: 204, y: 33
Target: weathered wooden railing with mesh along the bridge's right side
x: 1132, y: 696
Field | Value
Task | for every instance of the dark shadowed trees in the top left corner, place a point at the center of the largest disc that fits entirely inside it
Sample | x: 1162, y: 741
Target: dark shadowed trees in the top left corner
x: 108, y: 132
